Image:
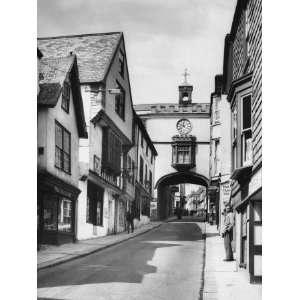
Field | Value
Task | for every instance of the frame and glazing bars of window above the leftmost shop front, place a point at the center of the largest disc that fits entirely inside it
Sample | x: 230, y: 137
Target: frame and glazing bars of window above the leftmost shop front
x: 62, y: 150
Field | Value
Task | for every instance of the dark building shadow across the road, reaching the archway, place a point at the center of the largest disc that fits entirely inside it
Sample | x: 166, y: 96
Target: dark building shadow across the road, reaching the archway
x: 127, y: 262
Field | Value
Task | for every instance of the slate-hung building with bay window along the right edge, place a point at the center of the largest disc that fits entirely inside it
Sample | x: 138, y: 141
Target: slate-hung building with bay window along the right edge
x: 242, y: 73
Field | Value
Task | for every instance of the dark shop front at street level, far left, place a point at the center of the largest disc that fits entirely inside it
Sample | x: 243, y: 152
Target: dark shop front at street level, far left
x: 55, y: 210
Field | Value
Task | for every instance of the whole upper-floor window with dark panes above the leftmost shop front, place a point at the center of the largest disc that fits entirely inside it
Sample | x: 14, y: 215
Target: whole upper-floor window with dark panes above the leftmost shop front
x: 62, y: 148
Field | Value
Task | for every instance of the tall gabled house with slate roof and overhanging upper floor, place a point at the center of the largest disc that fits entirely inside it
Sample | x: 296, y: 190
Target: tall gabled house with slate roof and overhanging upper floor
x: 106, y: 189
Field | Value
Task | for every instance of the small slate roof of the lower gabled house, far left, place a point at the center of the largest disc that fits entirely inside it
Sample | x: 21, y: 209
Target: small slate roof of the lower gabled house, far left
x: 52, y: 73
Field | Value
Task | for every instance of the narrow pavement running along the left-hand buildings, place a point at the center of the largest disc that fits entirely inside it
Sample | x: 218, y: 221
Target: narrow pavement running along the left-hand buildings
x: 51, y: 255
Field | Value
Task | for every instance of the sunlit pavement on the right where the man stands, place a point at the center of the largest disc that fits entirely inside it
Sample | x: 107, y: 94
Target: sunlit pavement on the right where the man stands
x: 222, y: 281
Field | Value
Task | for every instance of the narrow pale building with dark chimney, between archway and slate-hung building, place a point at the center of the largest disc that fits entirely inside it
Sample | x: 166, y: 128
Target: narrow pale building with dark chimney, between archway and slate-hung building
x: 220, y: 151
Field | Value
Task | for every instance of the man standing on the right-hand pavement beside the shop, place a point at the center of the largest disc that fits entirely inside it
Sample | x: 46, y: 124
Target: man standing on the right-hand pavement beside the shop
x: 227, y: 232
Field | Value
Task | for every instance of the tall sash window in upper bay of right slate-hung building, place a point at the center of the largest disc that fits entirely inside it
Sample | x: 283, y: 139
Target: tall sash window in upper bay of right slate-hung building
x: 246, y: 131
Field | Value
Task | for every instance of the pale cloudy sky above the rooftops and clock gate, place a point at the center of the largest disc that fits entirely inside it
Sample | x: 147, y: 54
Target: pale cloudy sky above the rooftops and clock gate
x: 162, y: 37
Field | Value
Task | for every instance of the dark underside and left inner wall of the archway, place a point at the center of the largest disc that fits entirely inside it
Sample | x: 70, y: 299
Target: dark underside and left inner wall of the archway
x: 163, y: 185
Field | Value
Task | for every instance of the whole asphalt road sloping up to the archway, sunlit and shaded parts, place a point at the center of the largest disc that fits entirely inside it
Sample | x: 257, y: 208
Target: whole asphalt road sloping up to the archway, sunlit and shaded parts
x: 163, y: 264
